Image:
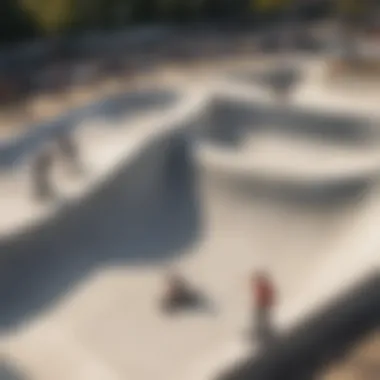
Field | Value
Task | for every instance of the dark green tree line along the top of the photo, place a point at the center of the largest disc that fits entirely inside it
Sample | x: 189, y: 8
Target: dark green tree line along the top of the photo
x: 21, y: 19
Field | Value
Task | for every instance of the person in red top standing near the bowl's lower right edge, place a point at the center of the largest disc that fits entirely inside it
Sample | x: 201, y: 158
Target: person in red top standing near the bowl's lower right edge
x: 263, y: 301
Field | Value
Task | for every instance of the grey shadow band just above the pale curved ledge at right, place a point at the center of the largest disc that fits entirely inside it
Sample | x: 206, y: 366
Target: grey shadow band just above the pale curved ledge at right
x: 231, y: 120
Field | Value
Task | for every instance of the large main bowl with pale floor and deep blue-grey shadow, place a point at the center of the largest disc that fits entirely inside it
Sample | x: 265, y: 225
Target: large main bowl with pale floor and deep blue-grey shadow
x: 82, y: 302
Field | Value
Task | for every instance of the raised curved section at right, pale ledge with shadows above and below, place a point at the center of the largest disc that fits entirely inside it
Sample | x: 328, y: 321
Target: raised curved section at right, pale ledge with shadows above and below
x: 308, y: 176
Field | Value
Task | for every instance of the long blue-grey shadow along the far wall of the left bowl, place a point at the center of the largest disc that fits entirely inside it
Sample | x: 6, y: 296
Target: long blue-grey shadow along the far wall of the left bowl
x: 113, y: 108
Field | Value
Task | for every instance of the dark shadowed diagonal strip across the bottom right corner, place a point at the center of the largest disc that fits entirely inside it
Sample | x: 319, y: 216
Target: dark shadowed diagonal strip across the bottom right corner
x: 317, y: 341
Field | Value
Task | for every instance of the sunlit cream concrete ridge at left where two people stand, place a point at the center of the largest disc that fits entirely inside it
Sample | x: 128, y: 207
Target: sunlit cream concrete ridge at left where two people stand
x: 103, y: 144
